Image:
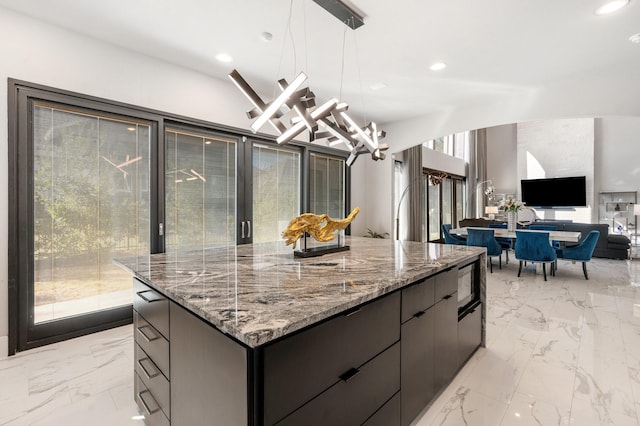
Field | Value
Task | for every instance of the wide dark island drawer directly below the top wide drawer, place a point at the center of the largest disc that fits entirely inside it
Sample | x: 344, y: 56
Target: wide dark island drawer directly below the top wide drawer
x: 353, y: 401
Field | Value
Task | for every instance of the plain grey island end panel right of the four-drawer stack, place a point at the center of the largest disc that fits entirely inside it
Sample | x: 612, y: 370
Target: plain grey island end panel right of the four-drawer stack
x: 208, y: 374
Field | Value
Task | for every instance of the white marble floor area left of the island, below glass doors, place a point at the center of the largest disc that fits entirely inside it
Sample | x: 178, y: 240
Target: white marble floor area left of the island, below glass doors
x: 79, y: 382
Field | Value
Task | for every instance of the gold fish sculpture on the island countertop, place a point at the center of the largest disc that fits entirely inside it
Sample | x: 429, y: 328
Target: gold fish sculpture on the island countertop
x: 321, y: 227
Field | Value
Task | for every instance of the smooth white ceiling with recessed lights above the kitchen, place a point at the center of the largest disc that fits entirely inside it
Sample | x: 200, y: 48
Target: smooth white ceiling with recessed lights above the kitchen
x: 493, y: 48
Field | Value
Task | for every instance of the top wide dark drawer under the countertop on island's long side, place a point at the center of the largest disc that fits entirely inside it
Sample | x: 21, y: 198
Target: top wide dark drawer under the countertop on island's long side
x: 298, y: 368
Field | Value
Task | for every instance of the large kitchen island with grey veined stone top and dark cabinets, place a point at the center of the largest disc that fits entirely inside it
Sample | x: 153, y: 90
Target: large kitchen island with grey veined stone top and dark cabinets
x: 251, y: 335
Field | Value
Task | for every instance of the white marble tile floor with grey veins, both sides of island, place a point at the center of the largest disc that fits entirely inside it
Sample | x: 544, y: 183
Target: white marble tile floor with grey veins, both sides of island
x: 561, y: 352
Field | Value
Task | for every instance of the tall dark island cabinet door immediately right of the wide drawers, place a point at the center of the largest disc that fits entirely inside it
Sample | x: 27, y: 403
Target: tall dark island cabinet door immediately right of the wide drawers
x: 417, y: 374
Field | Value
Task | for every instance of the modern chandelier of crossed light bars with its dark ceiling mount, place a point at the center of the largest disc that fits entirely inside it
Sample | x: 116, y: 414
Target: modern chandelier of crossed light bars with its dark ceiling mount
x: 327, y: 121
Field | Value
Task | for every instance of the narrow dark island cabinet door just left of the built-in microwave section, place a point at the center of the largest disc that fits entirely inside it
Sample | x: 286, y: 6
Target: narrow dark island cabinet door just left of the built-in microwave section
x: 445, y: 339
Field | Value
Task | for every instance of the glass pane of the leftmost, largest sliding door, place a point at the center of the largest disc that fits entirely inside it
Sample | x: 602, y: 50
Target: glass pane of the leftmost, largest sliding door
x: 91, y: 204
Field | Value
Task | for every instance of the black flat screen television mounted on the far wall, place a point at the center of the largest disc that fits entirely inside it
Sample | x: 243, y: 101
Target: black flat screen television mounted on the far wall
x: 554, y: 192
